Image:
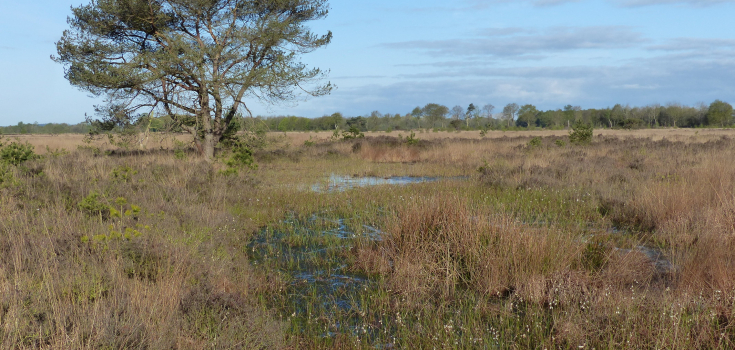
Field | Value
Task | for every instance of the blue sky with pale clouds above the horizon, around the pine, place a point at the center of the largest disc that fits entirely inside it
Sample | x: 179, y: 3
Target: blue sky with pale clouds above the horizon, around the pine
x: 393, y: 55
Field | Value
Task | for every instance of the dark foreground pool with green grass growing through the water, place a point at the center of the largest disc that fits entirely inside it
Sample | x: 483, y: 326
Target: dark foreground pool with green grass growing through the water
x: 324, y: 296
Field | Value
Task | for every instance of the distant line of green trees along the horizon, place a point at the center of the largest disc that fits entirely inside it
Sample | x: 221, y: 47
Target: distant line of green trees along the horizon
x: 436, y: 116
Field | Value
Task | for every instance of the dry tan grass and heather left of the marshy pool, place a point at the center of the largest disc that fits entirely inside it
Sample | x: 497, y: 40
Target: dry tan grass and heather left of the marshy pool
x: 68, y: 282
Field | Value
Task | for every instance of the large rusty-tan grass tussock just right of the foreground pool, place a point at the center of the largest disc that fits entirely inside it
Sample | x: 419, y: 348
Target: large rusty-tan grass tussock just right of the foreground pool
x: 439, y: 244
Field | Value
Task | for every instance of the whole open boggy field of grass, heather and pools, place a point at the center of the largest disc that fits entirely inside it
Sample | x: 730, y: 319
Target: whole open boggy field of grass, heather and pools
x: 505, y: 242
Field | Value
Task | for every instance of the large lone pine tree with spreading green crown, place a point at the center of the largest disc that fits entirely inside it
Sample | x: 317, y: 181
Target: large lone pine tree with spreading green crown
x: 194, y: 60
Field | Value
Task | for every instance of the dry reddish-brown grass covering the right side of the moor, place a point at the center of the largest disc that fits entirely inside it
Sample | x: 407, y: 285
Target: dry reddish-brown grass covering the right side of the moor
x: 673, y: 196
